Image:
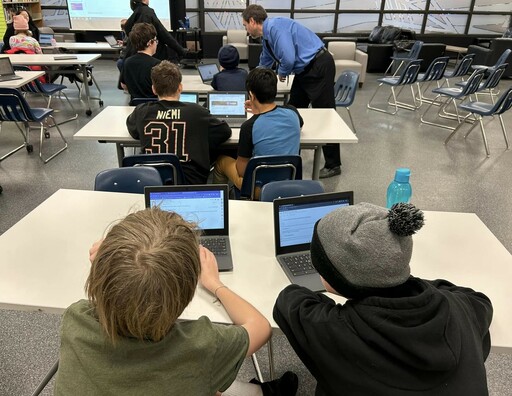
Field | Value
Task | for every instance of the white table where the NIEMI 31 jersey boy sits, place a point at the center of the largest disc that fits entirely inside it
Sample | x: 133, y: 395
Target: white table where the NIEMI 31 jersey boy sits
x: 321, y: 126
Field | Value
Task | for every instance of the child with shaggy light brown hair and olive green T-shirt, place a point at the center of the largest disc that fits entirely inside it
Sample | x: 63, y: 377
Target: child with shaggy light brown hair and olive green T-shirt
x: 126, y: 338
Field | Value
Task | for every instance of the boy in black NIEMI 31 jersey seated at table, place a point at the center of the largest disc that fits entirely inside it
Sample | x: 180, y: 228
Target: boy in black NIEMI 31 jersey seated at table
x: 170, y: 126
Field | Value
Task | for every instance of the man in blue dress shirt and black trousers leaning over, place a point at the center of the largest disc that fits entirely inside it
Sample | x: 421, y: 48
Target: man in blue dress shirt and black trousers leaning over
x: 294, y: 49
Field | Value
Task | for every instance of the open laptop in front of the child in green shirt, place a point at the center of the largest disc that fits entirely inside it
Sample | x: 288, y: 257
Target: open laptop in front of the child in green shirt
x: 206, y: 205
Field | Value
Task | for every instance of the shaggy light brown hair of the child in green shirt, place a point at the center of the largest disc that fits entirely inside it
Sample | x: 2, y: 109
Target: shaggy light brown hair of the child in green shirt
x: 144, y: 275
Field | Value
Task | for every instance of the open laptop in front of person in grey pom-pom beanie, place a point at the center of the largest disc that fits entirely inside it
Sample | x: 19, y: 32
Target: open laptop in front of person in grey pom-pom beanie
x: 294, y: 221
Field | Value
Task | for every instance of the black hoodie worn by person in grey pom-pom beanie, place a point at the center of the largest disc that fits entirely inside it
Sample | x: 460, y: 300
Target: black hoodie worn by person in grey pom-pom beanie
x: 422, y: 338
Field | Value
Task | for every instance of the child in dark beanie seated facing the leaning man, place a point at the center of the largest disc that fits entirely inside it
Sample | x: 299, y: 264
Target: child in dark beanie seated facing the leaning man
x: 231, y: 77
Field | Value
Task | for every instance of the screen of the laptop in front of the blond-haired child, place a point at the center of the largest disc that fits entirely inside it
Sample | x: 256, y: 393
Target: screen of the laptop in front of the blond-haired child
x: 205, y: 205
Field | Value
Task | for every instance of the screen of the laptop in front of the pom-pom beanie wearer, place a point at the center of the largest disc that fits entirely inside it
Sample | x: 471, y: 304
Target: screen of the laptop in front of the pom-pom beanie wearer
x: 297, y: 217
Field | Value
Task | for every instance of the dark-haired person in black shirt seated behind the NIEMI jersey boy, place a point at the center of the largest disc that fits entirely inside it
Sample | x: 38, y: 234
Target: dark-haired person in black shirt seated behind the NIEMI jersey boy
x: 136, y: 72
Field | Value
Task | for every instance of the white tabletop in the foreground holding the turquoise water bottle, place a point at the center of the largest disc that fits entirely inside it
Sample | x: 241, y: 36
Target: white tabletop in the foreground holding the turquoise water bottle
x: 45, y: 256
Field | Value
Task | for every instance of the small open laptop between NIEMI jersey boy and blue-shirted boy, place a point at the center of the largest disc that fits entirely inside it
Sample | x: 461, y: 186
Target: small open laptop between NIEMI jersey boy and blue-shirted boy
x: 228, y: 106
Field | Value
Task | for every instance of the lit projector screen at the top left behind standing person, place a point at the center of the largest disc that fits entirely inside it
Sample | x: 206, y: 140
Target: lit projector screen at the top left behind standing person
x: 106, y: 15
